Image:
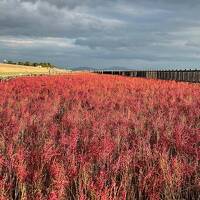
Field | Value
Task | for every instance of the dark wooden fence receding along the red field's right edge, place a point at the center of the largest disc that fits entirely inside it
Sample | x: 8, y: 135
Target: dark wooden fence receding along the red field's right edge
x: 177, y: 75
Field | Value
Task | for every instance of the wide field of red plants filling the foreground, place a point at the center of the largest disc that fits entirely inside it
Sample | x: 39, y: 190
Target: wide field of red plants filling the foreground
x: 99, y: 137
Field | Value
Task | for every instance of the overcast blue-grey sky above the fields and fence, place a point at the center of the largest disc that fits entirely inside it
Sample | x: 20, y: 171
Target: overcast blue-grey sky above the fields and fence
x: 102, y: 33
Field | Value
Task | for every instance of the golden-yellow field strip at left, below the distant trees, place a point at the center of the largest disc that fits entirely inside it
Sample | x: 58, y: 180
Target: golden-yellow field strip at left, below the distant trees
x: 7, y: 70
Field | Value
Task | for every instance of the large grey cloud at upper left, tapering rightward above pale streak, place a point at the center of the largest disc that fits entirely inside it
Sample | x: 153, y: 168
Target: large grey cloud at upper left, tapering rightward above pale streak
x: 44, y: 20
